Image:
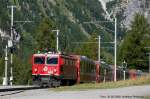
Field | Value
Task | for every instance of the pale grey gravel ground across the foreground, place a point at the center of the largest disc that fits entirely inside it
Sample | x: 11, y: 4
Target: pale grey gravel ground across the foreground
x: 136, y: 92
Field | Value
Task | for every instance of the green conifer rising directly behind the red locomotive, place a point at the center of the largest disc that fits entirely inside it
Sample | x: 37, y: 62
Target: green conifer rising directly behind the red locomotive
x: 44, y: 36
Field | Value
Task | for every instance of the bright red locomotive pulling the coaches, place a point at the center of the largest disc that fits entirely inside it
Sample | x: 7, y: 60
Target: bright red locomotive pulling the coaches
x: 51, y: 69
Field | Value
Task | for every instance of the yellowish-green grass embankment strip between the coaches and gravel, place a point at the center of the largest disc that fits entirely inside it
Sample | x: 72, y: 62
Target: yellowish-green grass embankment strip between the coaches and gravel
x: 107, y: 85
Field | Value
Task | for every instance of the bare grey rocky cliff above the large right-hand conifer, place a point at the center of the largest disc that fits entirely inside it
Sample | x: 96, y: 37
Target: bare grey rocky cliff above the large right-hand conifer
x: 134, y: 6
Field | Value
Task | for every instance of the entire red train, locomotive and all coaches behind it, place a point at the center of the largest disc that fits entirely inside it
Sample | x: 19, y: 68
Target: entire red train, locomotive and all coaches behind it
x: 55, y: 69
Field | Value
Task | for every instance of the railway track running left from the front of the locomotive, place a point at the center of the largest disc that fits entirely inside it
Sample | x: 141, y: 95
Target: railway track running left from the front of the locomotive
x: 18, y: 88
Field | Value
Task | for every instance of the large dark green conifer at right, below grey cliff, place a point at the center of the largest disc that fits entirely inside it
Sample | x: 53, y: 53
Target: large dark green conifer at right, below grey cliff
x: 133, y: 47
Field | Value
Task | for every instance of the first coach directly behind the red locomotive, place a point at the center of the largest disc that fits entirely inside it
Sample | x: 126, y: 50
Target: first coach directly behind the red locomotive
x: 88, y: 70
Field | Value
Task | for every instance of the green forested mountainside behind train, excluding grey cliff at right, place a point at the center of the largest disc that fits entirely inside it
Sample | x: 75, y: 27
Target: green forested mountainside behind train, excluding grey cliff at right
x: 70, y: 17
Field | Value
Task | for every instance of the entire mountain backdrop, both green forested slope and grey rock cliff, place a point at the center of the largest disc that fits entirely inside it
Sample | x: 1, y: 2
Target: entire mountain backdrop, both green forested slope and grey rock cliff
x: 76, y: 19
